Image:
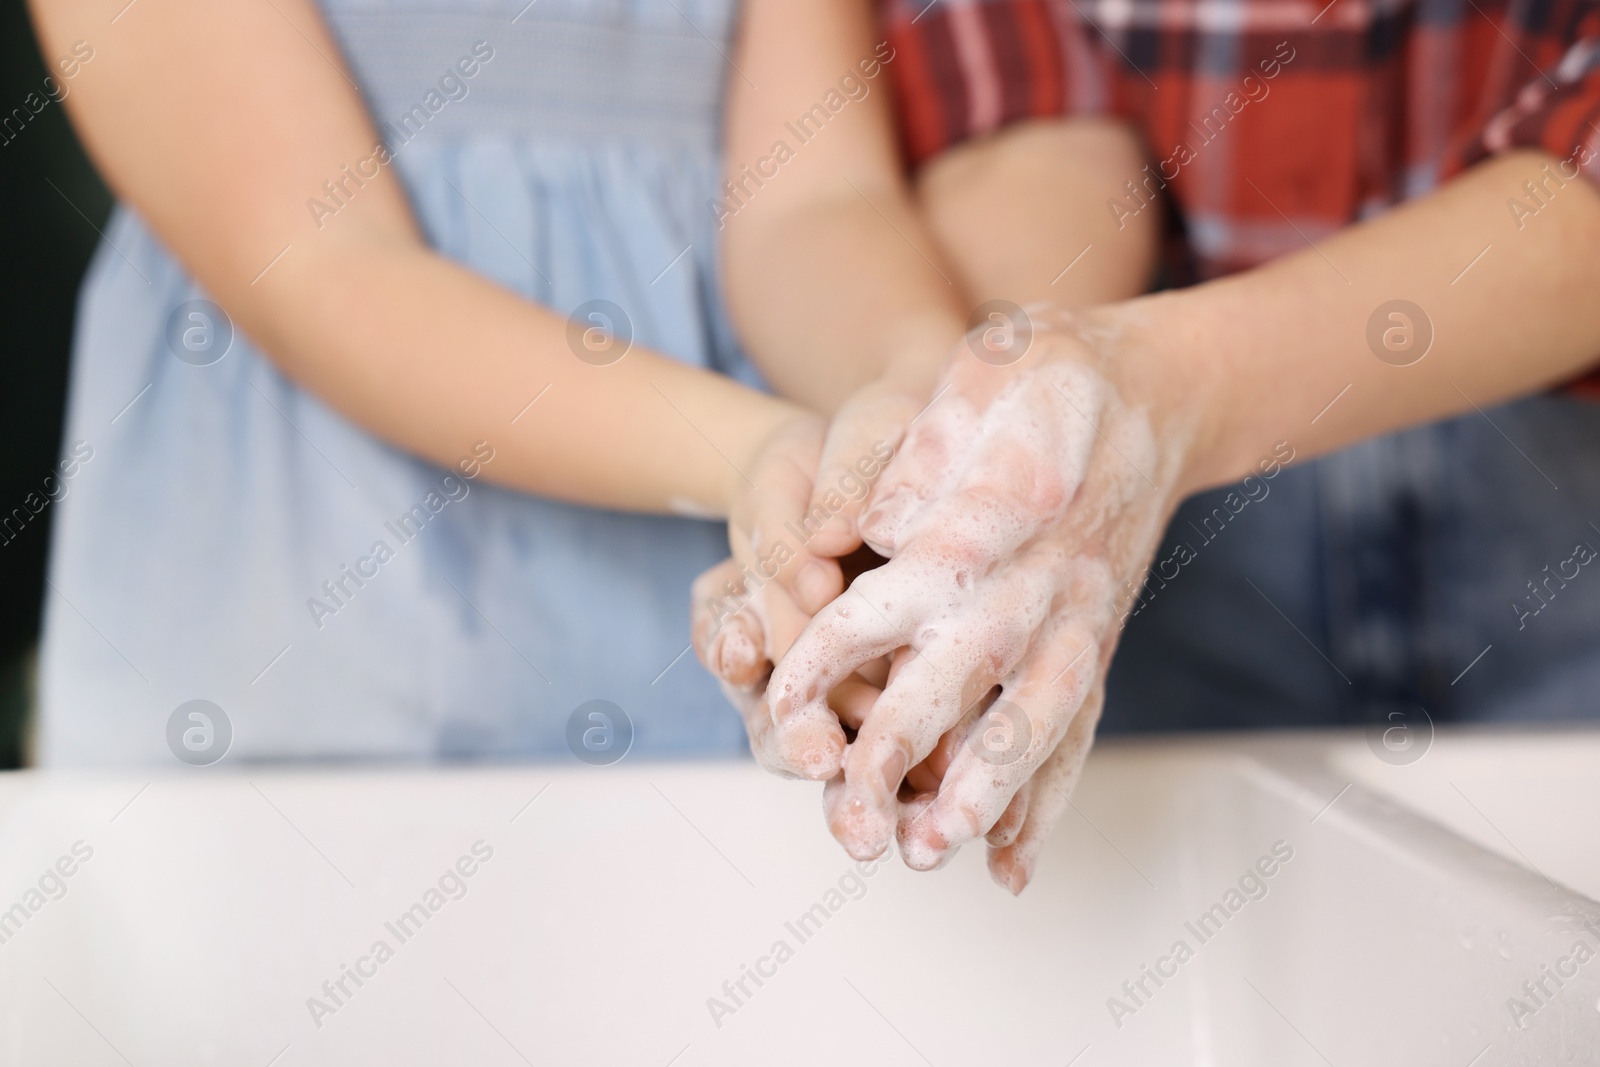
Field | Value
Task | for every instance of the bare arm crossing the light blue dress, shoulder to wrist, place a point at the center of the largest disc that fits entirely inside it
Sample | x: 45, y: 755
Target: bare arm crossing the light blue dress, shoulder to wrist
x: 218, y: 121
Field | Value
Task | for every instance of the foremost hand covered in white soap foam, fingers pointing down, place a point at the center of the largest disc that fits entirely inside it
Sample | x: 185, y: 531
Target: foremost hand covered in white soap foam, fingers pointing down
x: 1020, y: 518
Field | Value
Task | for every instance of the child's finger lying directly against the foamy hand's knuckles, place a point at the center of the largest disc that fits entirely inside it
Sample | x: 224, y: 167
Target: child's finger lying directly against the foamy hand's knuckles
x: 860, y: 444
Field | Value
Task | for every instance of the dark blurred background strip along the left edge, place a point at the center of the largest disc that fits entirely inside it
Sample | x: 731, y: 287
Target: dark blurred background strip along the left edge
x: 47, y: 238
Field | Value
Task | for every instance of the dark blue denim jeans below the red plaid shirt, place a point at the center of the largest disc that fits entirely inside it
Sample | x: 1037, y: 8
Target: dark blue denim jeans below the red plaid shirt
x: 1446, y: 569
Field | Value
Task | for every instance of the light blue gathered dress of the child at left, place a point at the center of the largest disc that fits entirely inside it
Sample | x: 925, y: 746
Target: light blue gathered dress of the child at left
x: 218, y: 500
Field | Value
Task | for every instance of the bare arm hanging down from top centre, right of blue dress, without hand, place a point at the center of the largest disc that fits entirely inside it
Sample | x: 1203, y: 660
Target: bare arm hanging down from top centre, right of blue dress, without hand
x: 833, y: 278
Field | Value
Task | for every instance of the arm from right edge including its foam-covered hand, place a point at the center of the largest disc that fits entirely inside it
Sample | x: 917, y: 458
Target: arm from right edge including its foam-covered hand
x: 1025, y: 510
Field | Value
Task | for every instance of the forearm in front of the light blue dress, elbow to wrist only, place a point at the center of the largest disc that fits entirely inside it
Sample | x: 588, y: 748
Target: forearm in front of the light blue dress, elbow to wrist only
x: 433, y: 358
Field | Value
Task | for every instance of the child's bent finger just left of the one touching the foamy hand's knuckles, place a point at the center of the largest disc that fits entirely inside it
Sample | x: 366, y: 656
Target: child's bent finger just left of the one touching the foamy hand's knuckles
x: 767, y: 527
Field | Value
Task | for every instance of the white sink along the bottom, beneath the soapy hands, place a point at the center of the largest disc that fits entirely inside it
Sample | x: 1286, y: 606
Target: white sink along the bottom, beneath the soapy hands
x: 622, y: 900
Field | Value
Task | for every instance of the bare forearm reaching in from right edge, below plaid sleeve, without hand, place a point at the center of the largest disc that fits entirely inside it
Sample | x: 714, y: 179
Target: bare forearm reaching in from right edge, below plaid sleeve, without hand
x: 1282, y: 353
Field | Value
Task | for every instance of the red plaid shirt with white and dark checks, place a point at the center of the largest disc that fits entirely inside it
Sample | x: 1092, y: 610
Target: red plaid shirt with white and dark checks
x: 1268, y: 122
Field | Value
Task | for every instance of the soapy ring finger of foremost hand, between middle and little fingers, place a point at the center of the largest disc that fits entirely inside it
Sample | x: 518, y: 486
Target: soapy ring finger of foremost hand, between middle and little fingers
x: 1020, y: 732
